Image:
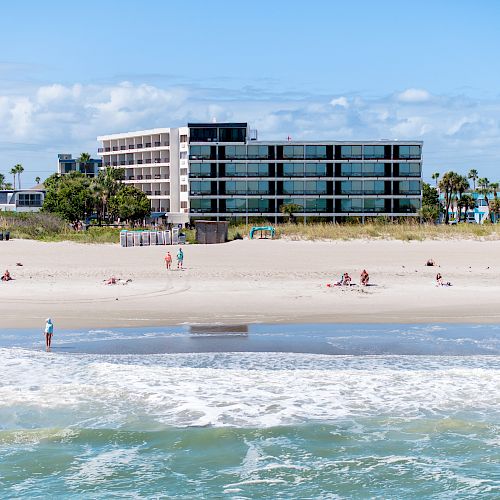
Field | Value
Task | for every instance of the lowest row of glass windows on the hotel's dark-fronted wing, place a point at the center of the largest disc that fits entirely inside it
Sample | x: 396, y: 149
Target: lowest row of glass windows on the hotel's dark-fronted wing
x: 309, y: 205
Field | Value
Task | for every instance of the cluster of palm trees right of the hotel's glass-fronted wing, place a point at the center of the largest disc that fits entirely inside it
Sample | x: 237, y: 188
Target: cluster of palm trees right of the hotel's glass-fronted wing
x: 458, y: 196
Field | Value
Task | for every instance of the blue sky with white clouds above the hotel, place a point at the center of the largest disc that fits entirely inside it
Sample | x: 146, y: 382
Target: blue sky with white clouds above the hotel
x: 70, y: 71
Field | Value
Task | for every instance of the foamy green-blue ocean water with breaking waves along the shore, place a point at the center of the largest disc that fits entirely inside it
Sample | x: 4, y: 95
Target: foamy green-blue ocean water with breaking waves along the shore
x: 289, y: 411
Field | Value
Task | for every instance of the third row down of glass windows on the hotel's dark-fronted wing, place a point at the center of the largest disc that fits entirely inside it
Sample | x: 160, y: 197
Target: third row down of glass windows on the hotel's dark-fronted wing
x: 304, y: 187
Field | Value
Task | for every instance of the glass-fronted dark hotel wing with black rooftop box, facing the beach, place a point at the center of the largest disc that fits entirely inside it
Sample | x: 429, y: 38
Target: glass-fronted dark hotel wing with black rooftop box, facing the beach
x: 233, y: 175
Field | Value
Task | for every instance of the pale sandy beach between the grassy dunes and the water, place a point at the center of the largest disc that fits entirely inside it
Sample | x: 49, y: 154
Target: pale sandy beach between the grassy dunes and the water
x: 249, y: 281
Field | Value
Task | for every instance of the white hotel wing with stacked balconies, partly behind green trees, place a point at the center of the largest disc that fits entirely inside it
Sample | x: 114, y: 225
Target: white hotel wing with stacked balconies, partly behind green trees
x: 155, y: 161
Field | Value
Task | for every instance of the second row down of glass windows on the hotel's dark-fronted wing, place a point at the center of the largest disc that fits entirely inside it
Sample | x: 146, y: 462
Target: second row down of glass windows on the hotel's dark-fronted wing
x: 303, y: 170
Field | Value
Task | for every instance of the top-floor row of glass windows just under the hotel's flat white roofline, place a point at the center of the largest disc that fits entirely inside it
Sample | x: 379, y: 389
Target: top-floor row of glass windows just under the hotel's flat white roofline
x: 305, y: 152
